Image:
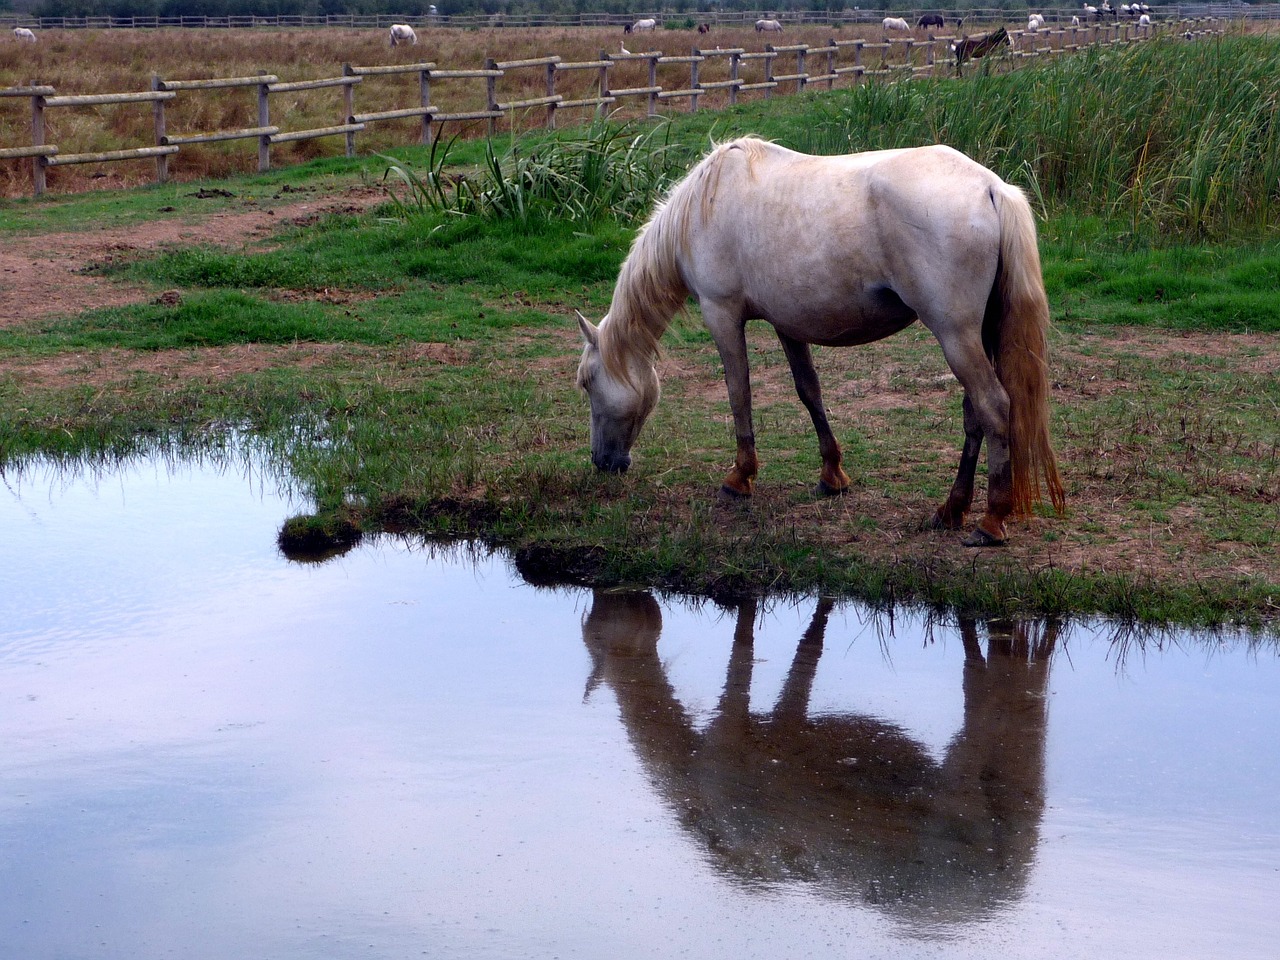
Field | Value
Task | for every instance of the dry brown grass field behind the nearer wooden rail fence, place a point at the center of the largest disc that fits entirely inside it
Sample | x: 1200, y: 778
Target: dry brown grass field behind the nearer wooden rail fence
x: 113, y: 62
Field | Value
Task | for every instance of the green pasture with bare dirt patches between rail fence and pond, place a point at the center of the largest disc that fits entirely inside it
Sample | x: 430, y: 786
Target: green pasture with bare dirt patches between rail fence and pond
x: 412, y: 369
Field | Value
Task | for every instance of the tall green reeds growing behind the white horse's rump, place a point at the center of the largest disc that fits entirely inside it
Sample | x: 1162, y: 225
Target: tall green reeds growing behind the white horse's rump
x: 1173, y: 138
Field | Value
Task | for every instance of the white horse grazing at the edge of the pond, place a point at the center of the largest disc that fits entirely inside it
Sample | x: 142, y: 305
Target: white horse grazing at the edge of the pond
x: 840, y: 252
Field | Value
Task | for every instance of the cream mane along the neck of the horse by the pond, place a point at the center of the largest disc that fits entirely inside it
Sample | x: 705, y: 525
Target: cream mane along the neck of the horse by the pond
x: 651, y: 287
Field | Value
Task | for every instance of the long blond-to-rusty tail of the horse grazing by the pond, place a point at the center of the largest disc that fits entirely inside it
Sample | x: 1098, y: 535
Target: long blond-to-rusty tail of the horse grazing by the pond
x: 1022, y: 355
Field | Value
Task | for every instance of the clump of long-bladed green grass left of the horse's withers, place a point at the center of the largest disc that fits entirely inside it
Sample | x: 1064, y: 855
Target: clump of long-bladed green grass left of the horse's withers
x: 607, y: 173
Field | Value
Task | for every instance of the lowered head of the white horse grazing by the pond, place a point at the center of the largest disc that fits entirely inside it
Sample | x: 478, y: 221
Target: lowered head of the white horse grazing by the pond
x: 621, y: 400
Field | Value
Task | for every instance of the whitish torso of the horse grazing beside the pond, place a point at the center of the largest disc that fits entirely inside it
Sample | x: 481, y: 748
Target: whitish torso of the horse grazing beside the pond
x: 857, y: 239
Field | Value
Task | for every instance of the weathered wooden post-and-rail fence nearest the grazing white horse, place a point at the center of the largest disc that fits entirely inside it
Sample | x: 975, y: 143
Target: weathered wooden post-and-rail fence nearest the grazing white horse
x: 775, y: 70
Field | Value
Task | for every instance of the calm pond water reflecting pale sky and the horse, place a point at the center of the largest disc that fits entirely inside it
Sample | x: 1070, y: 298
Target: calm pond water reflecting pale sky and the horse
x: 211, y: 752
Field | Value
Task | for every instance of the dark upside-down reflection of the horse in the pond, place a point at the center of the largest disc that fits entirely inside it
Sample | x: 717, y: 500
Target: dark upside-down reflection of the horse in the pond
x: 849, y: 803
